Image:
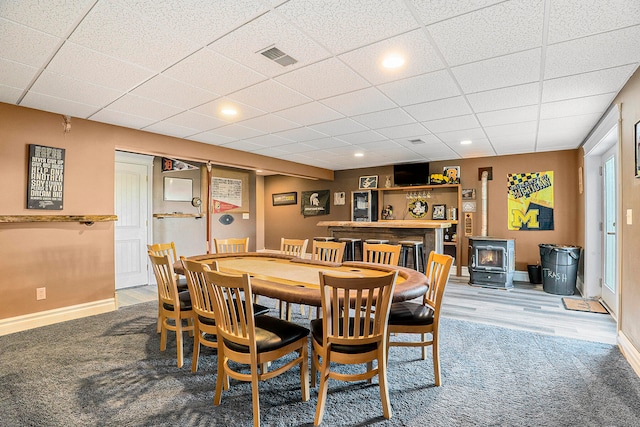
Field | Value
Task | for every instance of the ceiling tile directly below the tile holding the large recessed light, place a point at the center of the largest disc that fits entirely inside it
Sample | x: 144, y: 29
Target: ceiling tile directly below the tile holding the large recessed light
x: 423, y: 88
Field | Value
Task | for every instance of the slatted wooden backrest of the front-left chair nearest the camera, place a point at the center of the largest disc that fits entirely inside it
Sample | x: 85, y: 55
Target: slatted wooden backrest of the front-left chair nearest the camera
x: 233, y: 322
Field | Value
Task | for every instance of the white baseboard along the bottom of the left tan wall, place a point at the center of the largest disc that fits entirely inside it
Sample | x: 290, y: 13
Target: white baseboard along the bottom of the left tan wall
x: 49, y: 317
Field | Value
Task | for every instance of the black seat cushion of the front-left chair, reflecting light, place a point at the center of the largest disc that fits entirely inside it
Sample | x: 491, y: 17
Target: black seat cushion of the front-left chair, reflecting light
x: 271, y: 334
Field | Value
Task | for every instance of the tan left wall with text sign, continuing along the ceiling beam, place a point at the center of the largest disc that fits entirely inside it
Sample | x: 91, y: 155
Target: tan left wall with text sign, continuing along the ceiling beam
x: 73, y: 261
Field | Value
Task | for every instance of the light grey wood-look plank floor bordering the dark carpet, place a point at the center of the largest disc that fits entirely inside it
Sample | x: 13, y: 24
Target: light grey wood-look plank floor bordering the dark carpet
x: 526, y: 307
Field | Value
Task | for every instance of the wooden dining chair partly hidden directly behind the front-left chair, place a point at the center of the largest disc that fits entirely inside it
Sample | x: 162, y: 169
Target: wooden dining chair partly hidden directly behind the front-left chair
x: 204, y: 326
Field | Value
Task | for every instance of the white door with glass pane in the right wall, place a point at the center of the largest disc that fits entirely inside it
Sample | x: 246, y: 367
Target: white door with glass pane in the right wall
x: 609, y: 229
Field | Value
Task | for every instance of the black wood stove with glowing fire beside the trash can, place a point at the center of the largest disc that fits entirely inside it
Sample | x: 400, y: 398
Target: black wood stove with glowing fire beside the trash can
x: 491, y: 262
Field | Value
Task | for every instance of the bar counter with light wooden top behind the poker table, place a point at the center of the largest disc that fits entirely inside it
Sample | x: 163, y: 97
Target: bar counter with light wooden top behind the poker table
x: 430, y: 232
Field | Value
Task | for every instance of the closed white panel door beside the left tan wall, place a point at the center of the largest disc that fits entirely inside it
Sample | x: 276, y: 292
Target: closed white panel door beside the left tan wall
x: 131, y: 228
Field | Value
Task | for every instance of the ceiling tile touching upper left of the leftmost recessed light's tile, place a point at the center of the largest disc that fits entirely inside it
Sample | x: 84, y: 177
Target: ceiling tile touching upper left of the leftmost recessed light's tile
x: 173, y: 92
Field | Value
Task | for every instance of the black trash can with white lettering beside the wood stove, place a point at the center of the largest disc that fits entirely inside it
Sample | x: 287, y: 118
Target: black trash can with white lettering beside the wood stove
x: 559, y: 268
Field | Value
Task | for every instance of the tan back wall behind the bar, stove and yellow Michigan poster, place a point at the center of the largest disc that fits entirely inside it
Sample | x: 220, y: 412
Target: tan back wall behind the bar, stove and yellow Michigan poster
x: 287, y: 221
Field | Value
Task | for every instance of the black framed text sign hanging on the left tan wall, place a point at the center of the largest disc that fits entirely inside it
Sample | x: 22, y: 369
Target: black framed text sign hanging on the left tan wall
x: 46, y: 177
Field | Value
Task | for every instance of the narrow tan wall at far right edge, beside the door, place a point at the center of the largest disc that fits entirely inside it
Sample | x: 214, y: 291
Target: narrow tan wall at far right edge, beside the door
x: 629, y: 318
